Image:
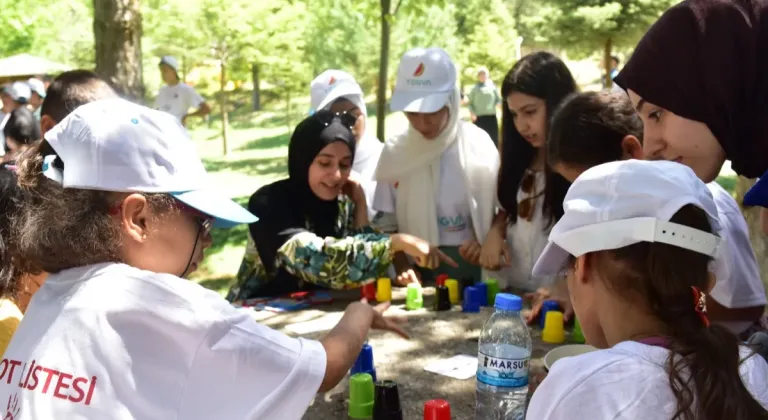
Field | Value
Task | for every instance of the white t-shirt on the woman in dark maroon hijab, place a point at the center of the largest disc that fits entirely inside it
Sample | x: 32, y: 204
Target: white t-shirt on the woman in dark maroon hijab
x: 742, y: 287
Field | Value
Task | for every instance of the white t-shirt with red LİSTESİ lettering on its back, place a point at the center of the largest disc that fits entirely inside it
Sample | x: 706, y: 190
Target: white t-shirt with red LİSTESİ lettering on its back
x: 109, y: 341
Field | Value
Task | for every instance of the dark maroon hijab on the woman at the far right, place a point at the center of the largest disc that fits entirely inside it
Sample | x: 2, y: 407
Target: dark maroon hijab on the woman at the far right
x: 707, y: 60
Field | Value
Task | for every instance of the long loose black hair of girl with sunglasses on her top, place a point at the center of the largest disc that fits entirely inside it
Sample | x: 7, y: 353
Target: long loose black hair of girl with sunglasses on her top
x: 544, y: 76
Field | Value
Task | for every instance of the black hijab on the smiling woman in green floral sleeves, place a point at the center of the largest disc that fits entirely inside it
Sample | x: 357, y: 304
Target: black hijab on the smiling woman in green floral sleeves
x: 289, y: 206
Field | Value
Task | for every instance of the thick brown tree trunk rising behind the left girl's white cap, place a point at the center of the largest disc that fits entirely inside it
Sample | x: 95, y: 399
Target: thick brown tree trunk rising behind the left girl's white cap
x: 117, y: 36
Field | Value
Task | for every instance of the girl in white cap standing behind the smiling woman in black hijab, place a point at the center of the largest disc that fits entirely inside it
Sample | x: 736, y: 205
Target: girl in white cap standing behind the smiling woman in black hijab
x: 338, y: 92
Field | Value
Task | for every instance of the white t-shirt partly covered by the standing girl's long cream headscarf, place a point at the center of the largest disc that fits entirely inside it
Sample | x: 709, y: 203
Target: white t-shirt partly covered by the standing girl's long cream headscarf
x: 454, y: 216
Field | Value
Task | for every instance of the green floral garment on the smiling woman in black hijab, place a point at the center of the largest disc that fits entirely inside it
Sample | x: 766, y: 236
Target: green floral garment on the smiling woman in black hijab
x: 357, y: 257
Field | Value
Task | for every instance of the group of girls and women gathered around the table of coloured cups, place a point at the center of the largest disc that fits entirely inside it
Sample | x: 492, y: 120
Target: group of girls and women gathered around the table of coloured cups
x: 106, y: 215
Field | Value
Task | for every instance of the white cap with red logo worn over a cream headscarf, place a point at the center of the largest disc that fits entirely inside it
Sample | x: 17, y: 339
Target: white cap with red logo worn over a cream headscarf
x: 426, y: 78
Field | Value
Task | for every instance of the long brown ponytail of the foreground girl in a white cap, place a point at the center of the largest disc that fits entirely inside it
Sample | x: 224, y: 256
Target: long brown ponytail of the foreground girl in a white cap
x: 704, y: 361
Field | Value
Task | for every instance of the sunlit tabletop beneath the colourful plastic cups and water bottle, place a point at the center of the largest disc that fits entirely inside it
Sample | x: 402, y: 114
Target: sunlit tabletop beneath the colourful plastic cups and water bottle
x: 434, y: 336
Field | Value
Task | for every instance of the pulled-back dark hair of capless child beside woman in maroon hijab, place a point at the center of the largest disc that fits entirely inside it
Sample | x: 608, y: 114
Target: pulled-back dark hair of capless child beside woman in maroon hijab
x: 587, y: 129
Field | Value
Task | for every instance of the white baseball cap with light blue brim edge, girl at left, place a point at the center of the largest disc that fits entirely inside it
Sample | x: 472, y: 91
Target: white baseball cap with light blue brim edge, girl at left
x: 116, y: 145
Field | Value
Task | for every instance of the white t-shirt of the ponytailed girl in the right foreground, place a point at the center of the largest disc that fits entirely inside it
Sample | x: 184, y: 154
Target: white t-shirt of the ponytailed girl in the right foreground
x: 628, y: 381
